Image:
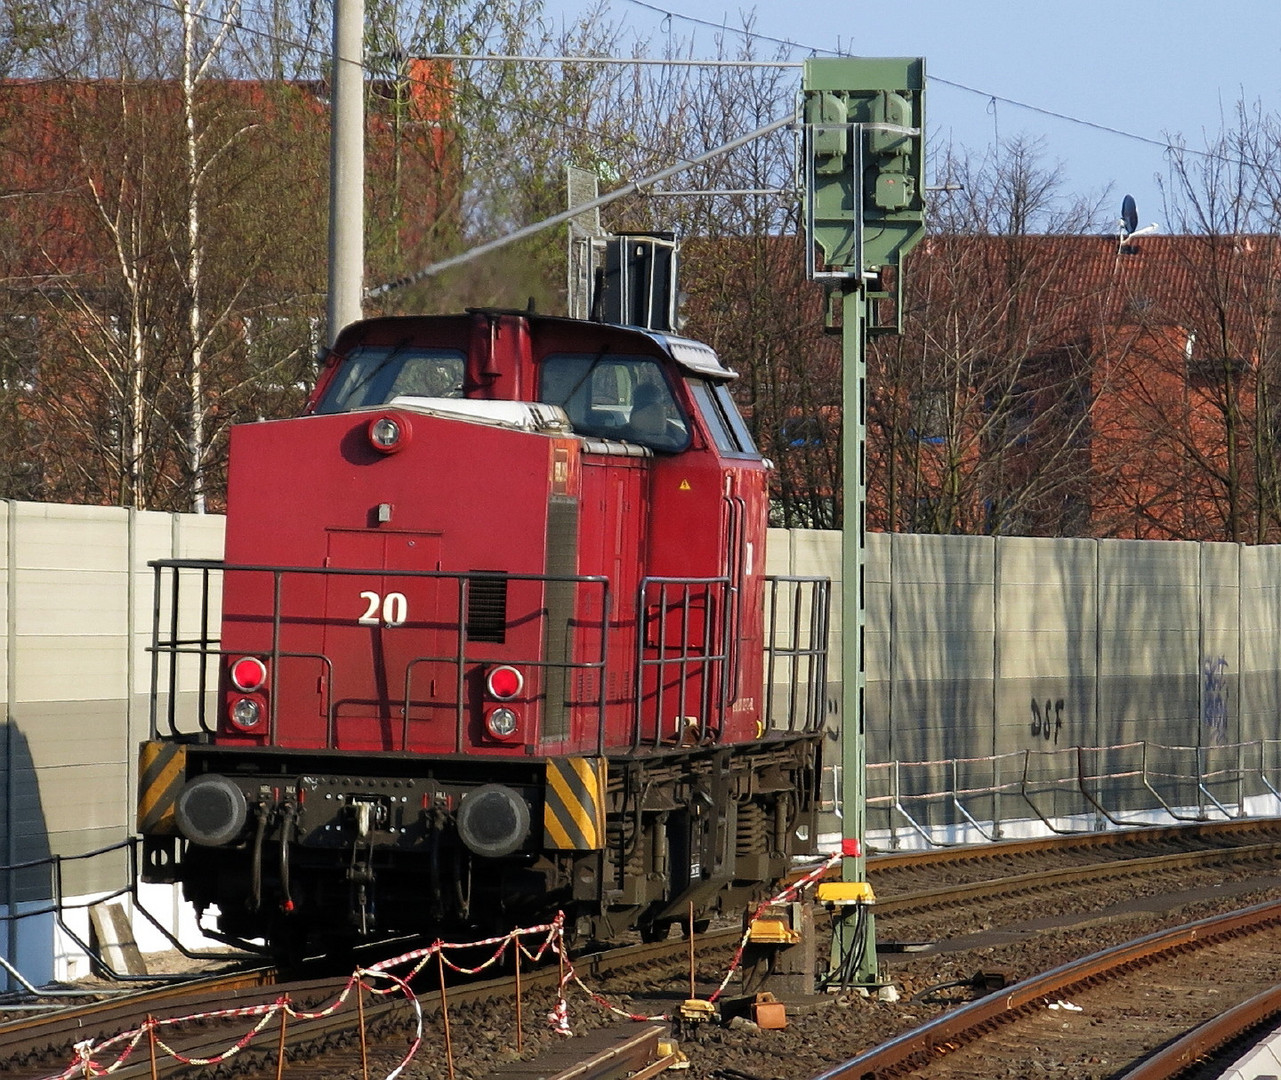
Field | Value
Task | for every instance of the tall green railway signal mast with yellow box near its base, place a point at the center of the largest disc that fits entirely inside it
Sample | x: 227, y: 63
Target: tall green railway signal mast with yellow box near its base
x: 864, y: 162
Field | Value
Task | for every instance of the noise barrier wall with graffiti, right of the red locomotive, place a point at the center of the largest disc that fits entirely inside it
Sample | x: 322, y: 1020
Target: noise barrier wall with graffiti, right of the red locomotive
x: 983, y: 649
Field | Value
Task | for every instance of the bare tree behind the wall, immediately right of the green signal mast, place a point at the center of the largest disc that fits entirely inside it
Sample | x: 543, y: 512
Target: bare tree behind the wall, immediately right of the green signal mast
x: 978, y: 416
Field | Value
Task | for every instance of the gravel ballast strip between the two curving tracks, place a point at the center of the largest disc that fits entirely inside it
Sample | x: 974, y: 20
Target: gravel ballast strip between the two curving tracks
x: 1025, y: 937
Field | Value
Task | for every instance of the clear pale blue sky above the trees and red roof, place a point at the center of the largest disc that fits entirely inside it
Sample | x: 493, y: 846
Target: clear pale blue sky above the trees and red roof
x: 1150, y: 69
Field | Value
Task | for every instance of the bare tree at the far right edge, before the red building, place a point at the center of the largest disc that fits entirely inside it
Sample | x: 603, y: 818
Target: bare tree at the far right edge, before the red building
x: 1220, y: 435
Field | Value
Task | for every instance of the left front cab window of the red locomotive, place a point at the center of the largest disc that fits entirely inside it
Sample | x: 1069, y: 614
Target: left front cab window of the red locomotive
x: 373, y: 375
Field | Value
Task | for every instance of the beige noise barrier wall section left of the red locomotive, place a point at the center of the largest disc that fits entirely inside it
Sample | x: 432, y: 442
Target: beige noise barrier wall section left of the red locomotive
x: 76, y: 601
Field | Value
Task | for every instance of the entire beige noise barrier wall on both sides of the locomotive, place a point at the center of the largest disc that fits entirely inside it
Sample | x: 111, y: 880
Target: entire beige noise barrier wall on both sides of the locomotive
x: 979, y: 650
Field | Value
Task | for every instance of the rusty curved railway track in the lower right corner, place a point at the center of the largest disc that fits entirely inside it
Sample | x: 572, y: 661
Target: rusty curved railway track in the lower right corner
x: 1146, y: 994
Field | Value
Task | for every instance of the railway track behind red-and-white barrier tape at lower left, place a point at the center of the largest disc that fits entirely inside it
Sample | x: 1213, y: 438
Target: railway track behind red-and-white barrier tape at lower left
x: 352, y: 1031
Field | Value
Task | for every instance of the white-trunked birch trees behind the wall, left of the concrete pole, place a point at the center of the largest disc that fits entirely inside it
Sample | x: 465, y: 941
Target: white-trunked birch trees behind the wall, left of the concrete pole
x: 131, y: 257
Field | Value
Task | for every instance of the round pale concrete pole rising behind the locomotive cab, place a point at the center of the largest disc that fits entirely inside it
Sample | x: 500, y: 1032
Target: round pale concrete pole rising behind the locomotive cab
x: 347, y: 168
